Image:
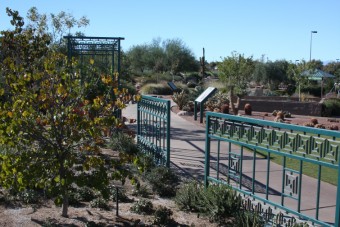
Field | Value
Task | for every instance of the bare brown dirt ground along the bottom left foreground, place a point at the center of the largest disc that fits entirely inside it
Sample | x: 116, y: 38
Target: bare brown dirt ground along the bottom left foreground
x: 48, y: 214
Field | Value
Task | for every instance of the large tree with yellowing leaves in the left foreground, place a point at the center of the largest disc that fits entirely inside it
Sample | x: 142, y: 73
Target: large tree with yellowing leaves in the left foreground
x: 50, y: 128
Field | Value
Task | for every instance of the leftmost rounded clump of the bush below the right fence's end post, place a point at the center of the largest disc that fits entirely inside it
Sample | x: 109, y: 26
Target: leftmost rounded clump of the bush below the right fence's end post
x: 188, y: 196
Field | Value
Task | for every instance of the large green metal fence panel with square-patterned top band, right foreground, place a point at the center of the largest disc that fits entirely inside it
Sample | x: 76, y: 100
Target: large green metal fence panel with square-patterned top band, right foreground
x: 239, y: 152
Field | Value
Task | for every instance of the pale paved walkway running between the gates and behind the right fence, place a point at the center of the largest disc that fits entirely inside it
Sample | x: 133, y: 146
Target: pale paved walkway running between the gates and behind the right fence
x: 187, y: 157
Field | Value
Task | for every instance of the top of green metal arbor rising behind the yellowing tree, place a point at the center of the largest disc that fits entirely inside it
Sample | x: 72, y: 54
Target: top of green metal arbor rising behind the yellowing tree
x: 106, y: 48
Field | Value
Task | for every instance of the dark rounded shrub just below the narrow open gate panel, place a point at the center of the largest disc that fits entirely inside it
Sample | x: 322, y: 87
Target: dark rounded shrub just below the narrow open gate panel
x: 163, y: 181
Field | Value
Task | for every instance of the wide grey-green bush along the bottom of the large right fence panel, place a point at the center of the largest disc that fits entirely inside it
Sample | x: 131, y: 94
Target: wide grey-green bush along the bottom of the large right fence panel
x: 218, y: 202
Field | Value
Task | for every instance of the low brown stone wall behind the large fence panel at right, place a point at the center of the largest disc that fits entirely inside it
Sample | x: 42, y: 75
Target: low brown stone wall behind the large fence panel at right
x: 294, y: 107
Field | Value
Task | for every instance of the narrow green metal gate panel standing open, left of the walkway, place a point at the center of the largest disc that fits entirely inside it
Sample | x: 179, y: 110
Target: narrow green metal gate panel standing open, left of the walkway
x: 153, y: 132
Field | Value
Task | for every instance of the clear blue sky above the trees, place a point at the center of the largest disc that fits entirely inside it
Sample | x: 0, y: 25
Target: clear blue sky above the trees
x: 277, y: 29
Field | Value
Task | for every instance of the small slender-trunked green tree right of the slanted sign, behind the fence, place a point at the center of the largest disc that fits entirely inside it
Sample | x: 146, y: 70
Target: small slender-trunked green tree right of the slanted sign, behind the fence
x: 235, y: 72
